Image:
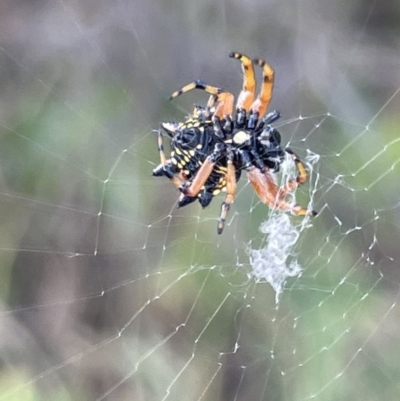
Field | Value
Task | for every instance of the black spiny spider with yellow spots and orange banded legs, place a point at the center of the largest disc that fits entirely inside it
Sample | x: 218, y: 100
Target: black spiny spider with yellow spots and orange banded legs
x: 211, y: 148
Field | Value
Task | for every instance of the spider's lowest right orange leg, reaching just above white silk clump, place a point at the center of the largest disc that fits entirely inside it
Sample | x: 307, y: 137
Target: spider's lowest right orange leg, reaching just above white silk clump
x: 265, y: 187
